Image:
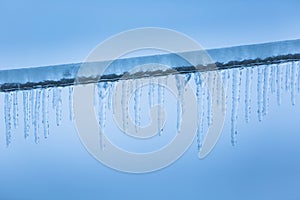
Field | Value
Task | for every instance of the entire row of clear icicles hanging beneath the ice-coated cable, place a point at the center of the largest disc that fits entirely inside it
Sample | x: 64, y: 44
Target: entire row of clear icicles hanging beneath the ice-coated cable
x: 271, y: 79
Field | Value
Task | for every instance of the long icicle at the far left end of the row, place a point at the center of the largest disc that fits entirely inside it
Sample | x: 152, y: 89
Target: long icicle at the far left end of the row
x: 7, y: 116
